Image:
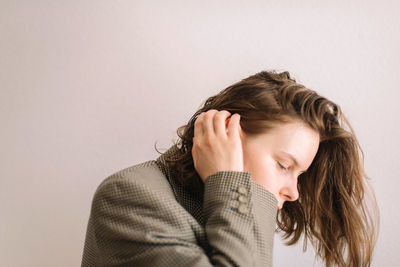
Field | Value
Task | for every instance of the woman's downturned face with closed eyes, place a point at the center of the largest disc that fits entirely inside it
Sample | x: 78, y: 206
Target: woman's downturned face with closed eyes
x: 267, y: 158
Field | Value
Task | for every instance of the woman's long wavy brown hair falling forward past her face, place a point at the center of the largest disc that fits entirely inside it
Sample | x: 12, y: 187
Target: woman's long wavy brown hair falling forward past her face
x: 336, y: 209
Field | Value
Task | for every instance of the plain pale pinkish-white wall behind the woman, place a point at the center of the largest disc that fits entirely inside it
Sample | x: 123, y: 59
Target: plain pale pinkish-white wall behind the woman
x: 88, y: 87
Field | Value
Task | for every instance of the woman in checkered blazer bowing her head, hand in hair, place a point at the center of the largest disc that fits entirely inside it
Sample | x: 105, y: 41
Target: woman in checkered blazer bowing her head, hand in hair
x: 264, y: 150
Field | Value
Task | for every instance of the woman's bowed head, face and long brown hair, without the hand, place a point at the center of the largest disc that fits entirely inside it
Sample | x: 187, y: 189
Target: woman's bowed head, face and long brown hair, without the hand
x: 329, y: 208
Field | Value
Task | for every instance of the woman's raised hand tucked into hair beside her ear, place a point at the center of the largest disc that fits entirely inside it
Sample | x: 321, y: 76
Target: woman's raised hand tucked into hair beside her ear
x: 217, y: 144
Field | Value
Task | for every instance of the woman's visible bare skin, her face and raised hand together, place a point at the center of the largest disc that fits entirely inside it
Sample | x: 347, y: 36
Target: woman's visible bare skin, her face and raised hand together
x: 219, y: 144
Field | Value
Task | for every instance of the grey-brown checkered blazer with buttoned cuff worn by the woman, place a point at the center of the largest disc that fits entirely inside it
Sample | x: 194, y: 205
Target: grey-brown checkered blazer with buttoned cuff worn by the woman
x: 140, y: 216
